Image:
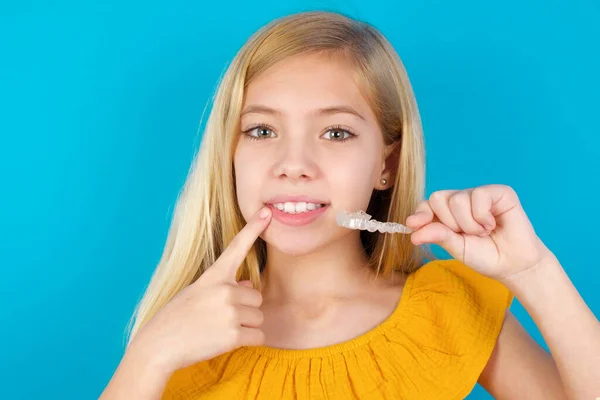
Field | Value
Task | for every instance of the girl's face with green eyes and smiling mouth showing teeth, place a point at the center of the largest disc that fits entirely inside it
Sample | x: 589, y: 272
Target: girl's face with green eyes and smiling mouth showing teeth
x: 309, y: 145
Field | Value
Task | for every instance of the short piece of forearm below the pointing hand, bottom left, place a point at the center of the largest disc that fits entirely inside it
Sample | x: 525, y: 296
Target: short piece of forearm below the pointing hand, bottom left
x: 137, y: 377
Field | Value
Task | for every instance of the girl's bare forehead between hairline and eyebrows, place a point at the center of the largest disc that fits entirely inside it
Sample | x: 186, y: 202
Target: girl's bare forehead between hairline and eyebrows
x: 307, y: 81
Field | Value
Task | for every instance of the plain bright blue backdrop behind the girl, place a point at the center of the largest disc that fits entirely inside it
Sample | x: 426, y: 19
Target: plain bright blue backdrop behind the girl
x: 100, y: 108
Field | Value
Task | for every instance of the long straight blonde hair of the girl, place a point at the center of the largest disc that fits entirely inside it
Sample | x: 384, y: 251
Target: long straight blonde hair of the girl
x: 207, y: 217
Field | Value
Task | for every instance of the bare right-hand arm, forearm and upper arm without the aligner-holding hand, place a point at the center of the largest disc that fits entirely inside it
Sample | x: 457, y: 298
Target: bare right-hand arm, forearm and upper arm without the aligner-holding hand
x: 570, y: 329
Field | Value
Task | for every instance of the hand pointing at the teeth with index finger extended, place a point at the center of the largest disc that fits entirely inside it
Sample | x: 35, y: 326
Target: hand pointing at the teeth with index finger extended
x: 213, y: 315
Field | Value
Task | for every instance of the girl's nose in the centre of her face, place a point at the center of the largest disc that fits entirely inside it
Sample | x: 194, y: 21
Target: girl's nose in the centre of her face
x: 296, y: 161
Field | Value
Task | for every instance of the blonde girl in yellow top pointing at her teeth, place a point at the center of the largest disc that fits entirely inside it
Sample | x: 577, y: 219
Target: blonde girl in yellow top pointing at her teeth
x: 259, y: 294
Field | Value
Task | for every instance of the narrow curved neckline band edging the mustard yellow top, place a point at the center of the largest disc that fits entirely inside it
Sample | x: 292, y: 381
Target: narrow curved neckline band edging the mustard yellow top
x: 391, y: 321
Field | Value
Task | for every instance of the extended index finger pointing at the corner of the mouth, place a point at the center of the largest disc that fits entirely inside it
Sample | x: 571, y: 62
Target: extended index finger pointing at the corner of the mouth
x: 230, y: 260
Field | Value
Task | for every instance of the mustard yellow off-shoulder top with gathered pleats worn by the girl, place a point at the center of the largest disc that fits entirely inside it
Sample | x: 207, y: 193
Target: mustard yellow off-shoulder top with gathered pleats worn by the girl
x: 433, y: 346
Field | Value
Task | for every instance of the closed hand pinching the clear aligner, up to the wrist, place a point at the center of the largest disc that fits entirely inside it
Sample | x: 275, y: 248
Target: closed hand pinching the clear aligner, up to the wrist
x: 485, y: 228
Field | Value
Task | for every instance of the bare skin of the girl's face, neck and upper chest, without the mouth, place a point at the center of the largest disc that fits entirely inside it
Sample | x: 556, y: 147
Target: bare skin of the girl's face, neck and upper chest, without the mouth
x: 315, y: 274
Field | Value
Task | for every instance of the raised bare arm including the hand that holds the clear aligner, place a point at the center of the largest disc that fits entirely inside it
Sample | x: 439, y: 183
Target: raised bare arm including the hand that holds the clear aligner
x: 487, y: 229
